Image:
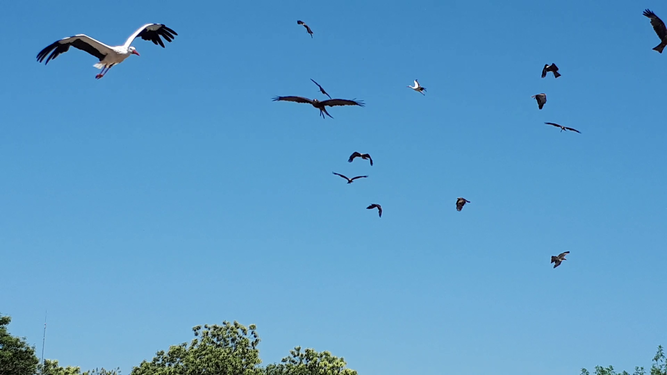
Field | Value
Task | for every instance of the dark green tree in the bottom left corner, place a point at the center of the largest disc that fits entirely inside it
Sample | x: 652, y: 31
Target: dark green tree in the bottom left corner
x: 16, y: 356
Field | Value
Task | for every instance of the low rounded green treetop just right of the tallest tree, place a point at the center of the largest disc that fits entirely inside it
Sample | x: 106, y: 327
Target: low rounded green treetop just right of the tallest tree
x: 310, y: 362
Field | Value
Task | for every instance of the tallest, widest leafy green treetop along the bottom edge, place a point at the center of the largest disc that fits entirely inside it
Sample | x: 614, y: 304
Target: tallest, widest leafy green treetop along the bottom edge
x: 228, y: 349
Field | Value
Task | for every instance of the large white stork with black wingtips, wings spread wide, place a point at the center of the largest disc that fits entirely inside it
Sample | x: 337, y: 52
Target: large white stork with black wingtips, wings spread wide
x: 109, y: 56
